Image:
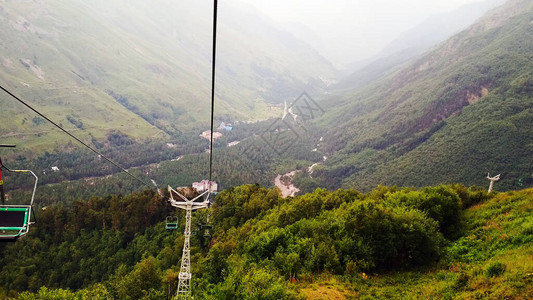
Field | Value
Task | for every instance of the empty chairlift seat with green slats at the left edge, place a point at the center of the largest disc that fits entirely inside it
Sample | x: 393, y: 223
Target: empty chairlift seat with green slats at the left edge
x: 15, y: 220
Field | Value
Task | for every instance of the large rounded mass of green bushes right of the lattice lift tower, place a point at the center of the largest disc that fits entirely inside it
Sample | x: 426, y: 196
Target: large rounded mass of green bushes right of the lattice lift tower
x: 327, y: 231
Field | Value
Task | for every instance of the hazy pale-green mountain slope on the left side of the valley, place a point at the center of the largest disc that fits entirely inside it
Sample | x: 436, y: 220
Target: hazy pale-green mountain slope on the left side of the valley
x: 140, y: 68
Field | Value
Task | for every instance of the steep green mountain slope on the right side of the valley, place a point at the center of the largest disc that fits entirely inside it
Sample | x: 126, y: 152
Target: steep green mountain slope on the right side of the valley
x: 455, y: 114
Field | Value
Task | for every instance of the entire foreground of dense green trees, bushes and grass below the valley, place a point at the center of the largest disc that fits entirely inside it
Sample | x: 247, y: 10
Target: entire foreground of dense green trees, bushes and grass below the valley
x: 268, y: 247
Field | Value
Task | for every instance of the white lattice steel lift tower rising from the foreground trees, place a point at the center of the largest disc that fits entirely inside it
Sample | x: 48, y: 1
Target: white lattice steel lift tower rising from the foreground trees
x: 180, y: 201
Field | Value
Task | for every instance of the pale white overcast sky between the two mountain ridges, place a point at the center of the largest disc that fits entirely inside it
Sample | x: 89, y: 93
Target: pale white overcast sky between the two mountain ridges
x: 369, y: 24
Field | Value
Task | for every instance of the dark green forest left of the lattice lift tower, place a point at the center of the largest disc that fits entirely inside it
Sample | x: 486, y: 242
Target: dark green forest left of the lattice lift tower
x: 85, y: 244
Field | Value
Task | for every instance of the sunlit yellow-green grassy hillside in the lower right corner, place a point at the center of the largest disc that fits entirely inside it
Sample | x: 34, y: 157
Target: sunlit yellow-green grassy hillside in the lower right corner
x: 492, y: 260
